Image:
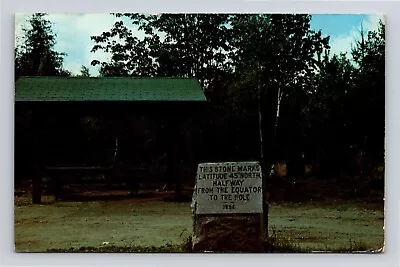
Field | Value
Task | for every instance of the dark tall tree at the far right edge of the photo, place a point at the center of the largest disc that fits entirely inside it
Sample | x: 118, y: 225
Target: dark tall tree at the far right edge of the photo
x: 368, y: 97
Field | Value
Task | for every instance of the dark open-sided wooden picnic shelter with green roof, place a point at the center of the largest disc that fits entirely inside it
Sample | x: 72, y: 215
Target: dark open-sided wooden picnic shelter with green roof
x: 106, y: 124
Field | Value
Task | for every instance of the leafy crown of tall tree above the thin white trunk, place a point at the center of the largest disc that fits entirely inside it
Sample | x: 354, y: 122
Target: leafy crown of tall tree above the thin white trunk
x: 280, y: 48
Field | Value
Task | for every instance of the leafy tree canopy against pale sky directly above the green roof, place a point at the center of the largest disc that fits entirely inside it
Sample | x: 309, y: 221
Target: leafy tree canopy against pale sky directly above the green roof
x: 174, y: 45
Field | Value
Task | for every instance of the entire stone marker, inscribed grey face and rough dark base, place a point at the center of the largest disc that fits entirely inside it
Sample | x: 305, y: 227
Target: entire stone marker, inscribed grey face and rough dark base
x: 227, y: 208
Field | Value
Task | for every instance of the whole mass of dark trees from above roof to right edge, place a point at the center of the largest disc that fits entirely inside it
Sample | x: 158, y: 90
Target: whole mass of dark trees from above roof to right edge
x: 312, y: 103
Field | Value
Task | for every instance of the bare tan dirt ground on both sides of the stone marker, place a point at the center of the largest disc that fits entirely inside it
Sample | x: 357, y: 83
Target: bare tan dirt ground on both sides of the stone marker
x: 97, y: 220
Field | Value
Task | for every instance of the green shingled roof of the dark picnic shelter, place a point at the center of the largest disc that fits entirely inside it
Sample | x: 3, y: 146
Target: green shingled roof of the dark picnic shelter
x: 107, y: 89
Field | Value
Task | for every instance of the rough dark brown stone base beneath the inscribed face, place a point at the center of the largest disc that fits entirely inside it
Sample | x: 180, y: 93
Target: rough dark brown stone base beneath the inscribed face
x: 227, y: 233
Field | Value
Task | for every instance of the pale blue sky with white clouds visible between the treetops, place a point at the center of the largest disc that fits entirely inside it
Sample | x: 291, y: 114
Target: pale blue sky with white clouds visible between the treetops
x: 74, y: 31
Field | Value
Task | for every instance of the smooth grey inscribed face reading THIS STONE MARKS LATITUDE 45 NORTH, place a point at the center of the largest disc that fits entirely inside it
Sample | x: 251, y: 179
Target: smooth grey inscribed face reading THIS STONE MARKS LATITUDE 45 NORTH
x: 229, y: 187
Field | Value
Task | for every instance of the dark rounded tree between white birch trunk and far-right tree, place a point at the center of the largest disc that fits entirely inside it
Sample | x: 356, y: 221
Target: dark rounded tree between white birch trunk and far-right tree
x: 327, y: 120
